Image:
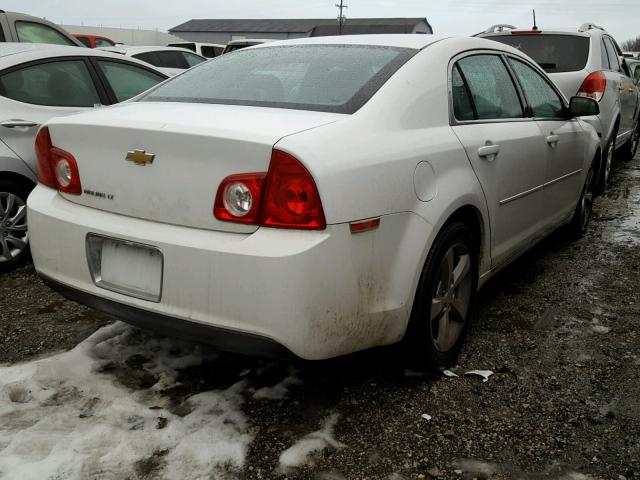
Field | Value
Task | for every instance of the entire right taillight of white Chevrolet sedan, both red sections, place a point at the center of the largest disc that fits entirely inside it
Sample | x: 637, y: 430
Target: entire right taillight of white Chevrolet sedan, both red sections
x: 285, y: 197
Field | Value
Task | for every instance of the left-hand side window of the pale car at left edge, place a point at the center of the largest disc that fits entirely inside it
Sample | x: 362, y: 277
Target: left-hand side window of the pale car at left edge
x: 55, y: 84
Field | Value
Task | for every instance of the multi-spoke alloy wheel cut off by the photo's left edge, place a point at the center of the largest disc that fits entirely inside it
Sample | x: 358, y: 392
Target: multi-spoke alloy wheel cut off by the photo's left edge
x: 14, y: 236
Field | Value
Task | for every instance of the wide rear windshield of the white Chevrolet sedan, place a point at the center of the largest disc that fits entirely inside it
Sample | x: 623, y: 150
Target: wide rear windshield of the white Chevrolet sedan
x: 324, y: 78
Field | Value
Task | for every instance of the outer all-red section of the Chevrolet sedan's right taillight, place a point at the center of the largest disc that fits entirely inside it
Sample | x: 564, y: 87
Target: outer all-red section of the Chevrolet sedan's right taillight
x: 291, y: 199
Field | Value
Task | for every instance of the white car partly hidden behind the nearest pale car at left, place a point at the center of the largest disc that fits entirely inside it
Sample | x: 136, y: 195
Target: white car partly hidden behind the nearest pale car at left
x: 169, y: 60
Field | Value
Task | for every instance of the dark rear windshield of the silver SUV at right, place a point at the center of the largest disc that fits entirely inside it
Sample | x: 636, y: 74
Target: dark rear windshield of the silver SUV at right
x: 554, y: 53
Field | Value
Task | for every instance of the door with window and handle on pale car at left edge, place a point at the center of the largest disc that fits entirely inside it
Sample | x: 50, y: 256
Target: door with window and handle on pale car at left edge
x: 33, y: 93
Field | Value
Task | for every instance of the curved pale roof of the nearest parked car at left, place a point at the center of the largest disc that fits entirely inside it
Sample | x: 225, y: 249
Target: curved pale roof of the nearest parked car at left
x: 17, y: 53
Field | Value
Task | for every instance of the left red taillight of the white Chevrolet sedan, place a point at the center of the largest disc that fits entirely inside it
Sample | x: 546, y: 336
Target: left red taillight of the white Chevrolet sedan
x: 56, y: 167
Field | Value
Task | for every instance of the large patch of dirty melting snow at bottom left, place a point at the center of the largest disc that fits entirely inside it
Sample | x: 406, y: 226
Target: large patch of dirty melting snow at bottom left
x: 99, y: 411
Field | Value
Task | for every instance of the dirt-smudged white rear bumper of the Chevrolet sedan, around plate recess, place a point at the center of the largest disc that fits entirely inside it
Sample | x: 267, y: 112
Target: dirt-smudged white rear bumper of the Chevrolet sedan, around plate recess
x: 317, y: 294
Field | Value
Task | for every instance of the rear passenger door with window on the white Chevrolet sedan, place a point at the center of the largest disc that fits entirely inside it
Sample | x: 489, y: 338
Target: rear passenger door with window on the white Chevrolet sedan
x: 506, y: 150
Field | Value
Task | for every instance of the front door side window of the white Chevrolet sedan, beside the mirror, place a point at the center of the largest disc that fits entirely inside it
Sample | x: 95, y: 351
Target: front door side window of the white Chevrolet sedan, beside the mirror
x: 542, y: 98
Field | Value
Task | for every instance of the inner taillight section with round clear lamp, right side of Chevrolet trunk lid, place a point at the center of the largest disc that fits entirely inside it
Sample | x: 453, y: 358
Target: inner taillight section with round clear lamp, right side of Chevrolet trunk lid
x: 239, y: 198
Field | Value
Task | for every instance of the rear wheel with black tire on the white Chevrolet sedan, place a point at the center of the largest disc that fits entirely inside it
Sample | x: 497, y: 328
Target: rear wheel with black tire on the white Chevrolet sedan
x: 428, y: 347
